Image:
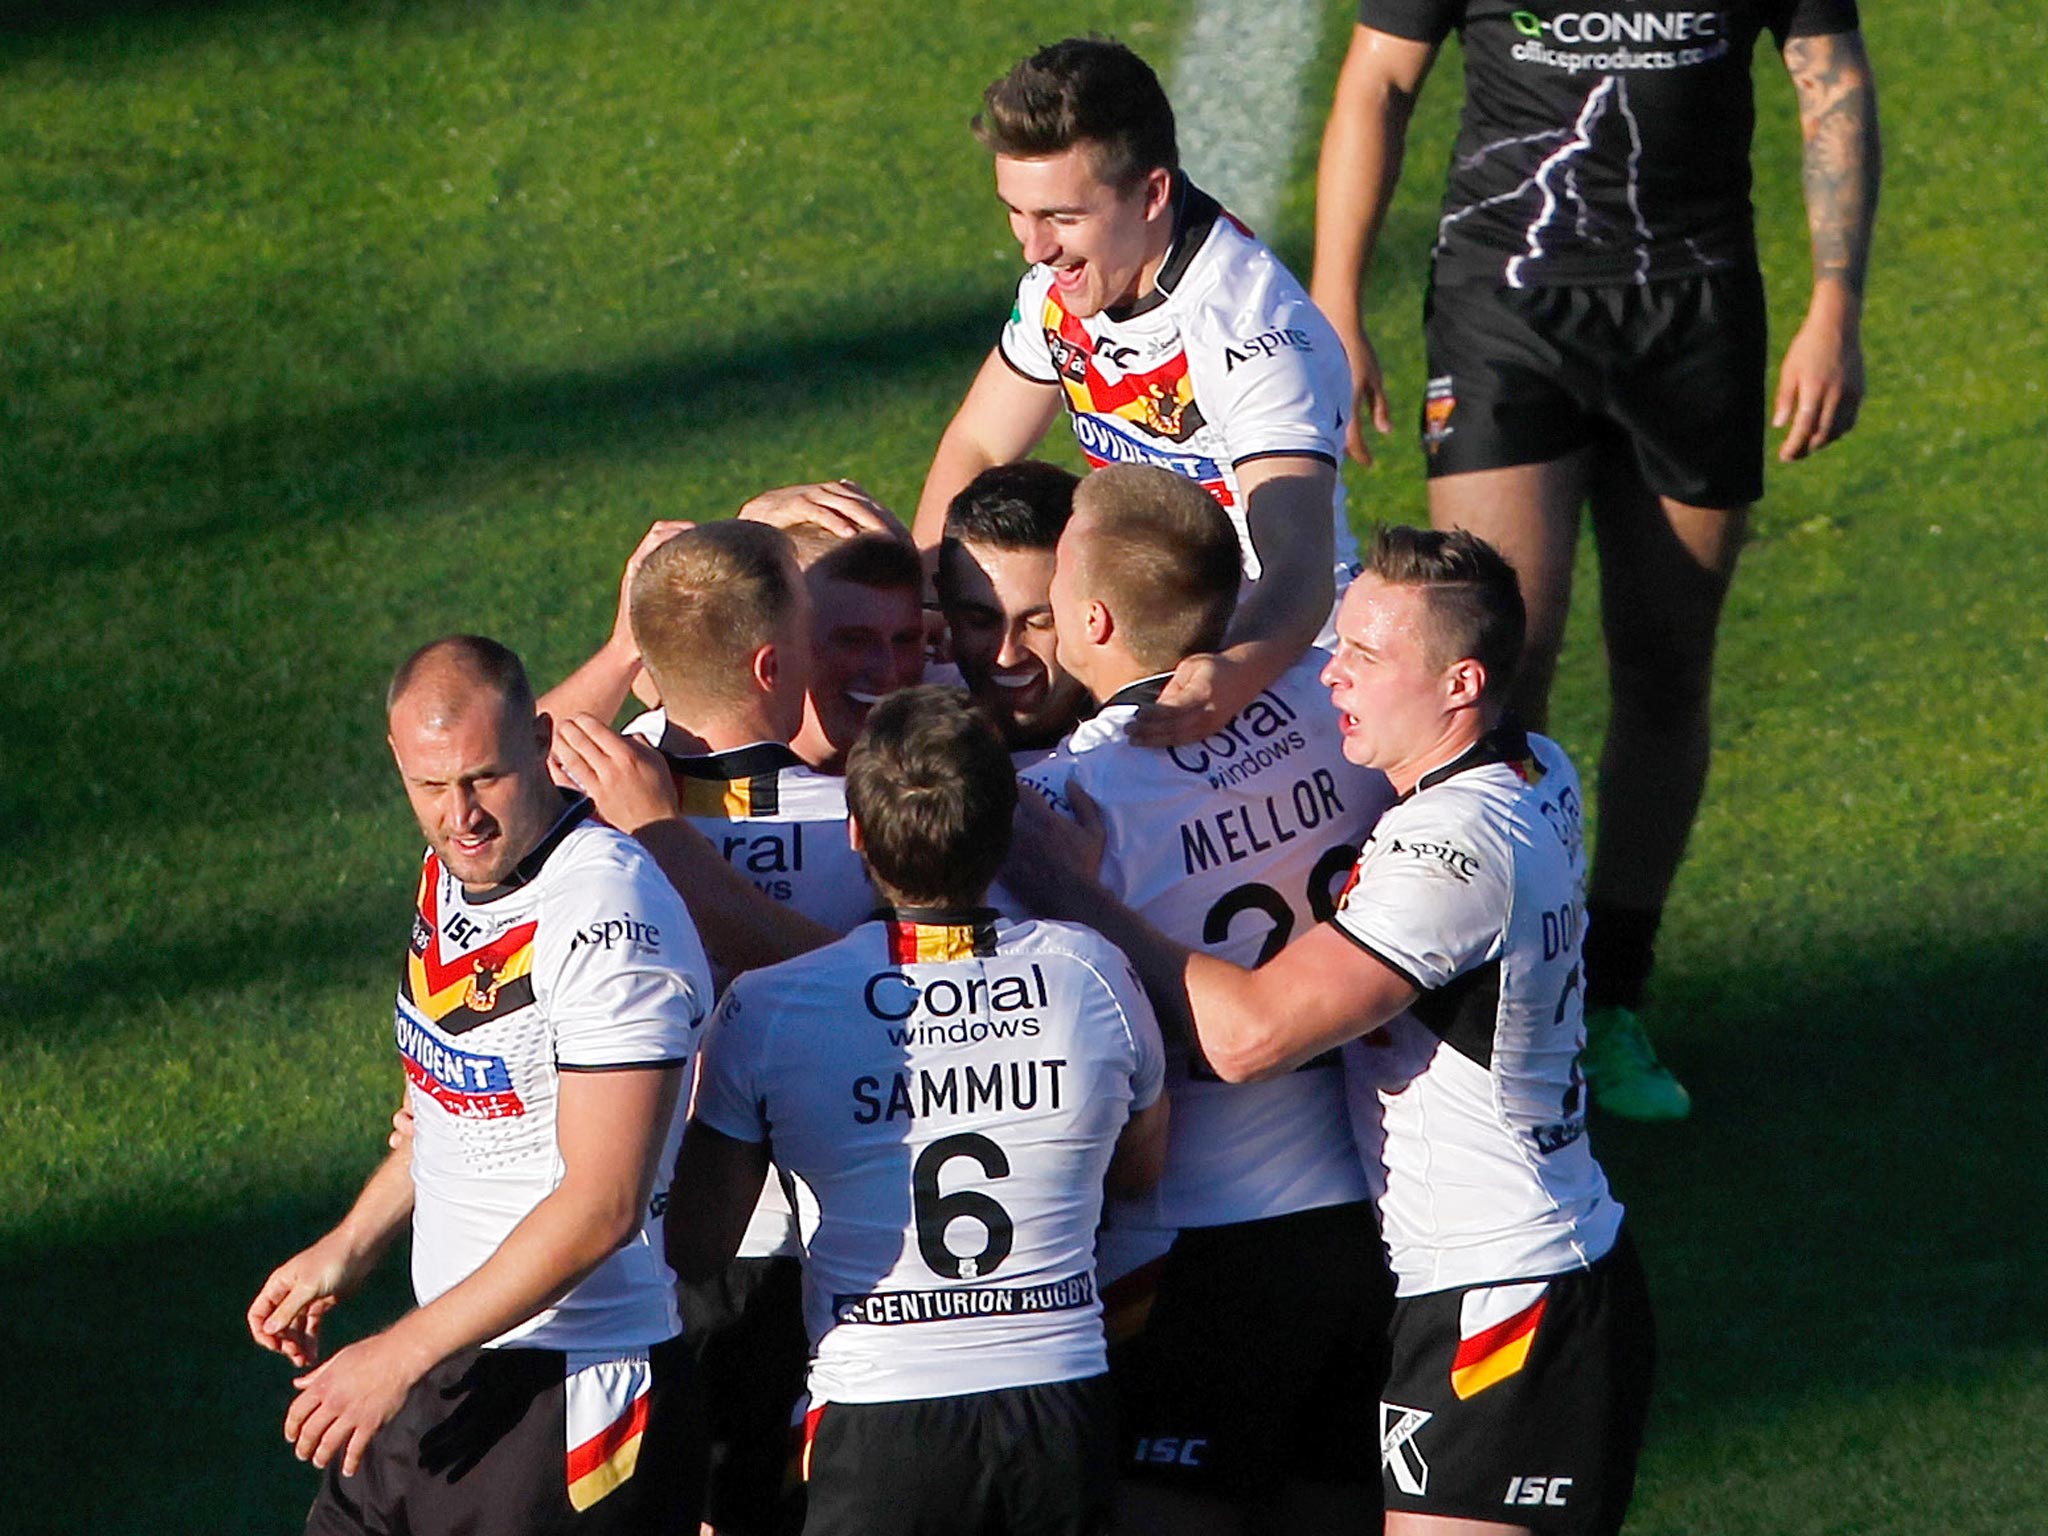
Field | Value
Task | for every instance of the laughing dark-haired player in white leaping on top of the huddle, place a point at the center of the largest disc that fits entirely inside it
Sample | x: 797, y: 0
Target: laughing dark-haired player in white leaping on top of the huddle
x: 1172, y: 337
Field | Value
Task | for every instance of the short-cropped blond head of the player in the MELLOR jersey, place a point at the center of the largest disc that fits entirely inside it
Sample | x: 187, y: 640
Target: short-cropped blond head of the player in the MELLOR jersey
x: 1158, y: 552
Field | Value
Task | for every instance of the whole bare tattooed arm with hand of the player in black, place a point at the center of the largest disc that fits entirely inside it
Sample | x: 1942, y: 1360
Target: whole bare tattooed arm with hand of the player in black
x: 1822, y: 380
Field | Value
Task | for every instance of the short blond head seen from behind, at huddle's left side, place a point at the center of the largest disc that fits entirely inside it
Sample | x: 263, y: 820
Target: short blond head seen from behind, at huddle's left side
x: 706, y: 603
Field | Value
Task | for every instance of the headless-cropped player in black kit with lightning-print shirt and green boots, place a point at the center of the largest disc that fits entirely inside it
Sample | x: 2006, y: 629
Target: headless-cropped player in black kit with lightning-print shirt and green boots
x: 1596, y: 339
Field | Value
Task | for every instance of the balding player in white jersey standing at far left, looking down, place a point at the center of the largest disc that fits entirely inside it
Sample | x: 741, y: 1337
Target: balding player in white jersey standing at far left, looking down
x: 546, y: 1017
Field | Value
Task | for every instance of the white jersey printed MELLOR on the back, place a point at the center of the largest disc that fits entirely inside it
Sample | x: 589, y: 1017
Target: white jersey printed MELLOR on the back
x: 1234, y: 847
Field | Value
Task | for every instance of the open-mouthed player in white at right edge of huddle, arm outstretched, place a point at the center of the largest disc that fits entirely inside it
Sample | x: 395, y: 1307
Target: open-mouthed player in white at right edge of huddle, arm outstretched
x: 1523, y: 1332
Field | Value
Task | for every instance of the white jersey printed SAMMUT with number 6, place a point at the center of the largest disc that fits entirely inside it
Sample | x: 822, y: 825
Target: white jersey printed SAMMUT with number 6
x: 945, y: 1093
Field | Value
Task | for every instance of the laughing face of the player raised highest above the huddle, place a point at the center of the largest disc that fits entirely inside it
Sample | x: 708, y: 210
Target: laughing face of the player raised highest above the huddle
x: 1103, y: 243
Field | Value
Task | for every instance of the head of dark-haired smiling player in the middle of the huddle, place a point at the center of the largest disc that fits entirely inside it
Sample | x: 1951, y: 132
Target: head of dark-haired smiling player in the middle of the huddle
x: 994, y: 589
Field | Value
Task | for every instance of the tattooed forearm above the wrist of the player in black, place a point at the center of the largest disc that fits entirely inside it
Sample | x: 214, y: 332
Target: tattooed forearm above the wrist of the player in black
x: 1838, y: 114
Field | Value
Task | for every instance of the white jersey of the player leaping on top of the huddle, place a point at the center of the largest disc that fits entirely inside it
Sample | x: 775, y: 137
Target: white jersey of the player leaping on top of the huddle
x: 1226, y: 361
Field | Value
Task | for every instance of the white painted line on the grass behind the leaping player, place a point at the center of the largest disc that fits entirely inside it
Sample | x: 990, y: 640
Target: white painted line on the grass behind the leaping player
x: 1238, y: 99
